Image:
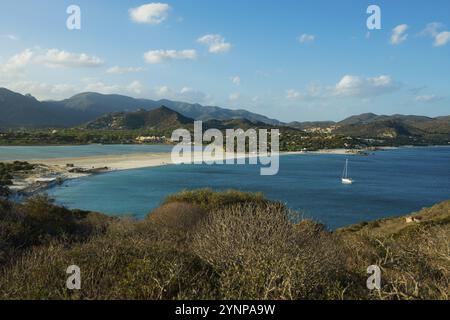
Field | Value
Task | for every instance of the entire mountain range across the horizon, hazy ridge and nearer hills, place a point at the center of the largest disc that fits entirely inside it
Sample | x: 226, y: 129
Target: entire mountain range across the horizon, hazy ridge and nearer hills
x: 99, y: 111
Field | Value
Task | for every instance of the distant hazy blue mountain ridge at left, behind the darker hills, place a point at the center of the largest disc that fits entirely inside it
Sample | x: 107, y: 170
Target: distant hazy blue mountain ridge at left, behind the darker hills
x: 25, y: 111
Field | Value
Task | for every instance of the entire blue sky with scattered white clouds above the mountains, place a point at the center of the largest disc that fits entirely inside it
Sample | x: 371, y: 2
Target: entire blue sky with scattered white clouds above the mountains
x: 288, y: 59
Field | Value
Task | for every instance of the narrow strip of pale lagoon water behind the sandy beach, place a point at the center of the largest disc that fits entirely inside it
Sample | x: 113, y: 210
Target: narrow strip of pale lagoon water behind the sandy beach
x: 53, y: 152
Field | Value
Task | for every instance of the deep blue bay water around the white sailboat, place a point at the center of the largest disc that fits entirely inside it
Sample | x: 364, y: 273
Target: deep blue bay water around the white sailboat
x: 388, y: 183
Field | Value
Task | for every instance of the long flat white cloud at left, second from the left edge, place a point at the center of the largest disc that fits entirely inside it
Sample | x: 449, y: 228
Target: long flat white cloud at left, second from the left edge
x: 59, y: 58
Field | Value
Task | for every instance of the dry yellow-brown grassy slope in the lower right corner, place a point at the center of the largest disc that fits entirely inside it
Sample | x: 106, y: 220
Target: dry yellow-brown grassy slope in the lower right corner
x: 415, y: 258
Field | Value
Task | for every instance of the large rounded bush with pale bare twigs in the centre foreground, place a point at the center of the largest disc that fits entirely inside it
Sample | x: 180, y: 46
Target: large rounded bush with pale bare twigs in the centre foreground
x: 260, y: 254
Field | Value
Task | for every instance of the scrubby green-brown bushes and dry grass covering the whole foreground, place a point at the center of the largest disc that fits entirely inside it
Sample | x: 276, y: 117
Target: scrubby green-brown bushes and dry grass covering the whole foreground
x: 228, y: 245
